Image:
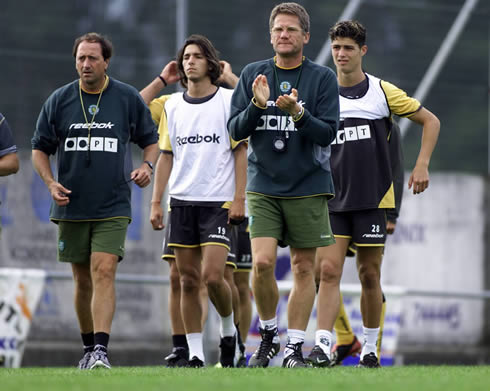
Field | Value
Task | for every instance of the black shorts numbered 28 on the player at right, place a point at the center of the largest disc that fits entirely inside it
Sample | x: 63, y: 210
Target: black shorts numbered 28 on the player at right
x: 363, y: 227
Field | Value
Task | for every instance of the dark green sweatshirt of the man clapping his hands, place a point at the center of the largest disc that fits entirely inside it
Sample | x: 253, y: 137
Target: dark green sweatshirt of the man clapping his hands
x: 302, y: 168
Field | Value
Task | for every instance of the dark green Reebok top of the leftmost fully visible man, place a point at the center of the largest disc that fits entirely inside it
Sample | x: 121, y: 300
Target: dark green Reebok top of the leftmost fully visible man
x: 99, y: 176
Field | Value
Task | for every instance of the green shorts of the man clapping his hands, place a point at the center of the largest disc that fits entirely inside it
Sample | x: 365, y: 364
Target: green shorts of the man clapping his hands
x: 296, y: 222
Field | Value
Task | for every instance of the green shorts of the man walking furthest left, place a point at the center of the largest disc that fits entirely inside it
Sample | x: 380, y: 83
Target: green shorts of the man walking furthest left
x: 77, y: 240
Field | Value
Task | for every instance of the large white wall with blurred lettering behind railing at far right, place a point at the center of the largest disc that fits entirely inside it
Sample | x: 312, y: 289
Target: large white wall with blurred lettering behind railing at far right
x: 439, y: 246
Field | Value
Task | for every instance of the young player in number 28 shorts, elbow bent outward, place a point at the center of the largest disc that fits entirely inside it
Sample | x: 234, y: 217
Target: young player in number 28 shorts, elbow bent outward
x: 363, y: 181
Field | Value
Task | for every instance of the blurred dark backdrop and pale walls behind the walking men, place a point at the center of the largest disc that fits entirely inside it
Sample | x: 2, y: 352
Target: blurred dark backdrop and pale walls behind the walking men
x: 442, y: 240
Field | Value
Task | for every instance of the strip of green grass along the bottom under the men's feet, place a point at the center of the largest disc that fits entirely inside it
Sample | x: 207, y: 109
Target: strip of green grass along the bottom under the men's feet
x: 410, y: 378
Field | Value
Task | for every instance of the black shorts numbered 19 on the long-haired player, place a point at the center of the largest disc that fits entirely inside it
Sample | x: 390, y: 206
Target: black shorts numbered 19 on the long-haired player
x: 196, y: 224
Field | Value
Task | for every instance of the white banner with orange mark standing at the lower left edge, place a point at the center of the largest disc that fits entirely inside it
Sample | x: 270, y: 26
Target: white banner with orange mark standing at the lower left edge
x: 20, y: 291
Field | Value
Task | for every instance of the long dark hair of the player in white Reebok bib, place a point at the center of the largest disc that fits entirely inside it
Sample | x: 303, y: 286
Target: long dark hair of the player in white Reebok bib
x: 209, y: 52
